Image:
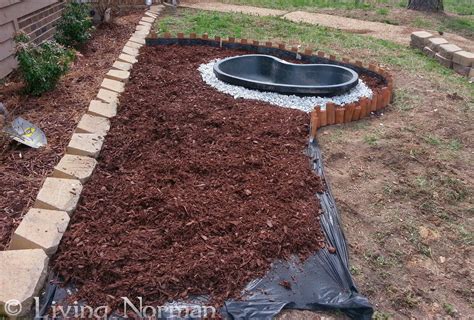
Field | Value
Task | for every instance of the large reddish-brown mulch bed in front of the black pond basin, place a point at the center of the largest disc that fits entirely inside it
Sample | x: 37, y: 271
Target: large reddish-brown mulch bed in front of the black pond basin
x: 195, y: 192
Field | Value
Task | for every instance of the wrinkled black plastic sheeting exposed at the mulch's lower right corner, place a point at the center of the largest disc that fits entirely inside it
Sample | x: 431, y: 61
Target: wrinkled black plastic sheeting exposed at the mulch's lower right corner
x: 322, y: 282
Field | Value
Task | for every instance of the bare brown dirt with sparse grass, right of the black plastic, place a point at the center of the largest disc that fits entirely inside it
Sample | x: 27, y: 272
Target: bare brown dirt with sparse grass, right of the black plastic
x: 403, y: 184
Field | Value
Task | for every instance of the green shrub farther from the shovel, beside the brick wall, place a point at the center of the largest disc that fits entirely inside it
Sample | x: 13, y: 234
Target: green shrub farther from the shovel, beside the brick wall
x: 75, y: 26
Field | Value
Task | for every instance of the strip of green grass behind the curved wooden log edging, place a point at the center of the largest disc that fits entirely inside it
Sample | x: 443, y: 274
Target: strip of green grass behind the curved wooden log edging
x: 319, y: 38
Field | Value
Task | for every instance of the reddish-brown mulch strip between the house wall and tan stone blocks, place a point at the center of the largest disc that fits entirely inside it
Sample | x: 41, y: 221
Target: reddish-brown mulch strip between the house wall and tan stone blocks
x: 22, y: 170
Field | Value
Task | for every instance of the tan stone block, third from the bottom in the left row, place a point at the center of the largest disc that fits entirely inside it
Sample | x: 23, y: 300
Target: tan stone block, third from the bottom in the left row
x: 59, y: 194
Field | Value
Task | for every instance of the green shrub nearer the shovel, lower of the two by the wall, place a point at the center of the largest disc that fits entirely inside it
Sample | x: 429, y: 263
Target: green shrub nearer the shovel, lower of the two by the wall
x: 41, y: 66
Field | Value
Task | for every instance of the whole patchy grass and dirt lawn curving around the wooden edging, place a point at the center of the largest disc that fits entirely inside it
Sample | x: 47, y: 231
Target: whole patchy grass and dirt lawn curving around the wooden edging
x: 402, y: 179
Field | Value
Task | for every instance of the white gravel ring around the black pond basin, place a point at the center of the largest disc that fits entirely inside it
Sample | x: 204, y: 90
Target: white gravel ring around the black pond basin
x: 287, y: 101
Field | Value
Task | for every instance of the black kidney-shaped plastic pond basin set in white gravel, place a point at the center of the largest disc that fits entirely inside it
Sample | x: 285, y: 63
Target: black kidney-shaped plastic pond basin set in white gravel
x: 267, y: 73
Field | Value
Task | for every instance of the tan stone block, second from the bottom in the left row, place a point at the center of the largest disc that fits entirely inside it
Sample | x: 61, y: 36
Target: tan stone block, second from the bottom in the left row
x: 40, y: 229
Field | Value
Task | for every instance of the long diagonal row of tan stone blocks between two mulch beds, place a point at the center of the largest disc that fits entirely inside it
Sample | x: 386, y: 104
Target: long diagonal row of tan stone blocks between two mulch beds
x: 24, y: 265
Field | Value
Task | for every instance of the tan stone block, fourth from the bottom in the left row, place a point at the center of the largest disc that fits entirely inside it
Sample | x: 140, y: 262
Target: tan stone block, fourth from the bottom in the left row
x: 75, y: 167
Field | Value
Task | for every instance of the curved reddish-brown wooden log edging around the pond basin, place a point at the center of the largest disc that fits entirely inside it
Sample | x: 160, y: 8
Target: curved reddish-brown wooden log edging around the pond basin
x: 334, y: 114
